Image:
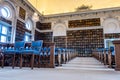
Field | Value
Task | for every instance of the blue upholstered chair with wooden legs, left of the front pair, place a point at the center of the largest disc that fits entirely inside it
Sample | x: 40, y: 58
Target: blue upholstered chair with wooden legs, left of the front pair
x: 13, y: 50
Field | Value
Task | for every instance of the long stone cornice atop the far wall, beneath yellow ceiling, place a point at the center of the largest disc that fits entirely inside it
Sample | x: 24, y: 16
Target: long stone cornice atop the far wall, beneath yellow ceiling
x: 72, y: 15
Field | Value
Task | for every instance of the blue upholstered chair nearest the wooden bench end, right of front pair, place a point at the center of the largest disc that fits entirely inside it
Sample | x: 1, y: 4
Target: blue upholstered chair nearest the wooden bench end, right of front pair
x: 35, y: 49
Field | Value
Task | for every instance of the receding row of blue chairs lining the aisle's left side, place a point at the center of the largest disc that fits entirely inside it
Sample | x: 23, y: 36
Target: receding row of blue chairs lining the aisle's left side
x: 63, y: 55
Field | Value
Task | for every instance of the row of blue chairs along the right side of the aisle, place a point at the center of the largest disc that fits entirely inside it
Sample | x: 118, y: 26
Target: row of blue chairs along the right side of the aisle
x: 105, y: 55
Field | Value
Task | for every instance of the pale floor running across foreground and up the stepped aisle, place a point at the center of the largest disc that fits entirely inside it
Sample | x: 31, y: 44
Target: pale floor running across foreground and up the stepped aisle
x: 80, y: 68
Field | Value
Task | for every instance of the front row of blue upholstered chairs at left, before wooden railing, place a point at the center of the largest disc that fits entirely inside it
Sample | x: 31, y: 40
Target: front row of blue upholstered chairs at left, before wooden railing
x: 19, y: 49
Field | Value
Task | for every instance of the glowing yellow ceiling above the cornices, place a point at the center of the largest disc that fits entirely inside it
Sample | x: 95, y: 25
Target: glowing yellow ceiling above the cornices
x: 47, y: 7
